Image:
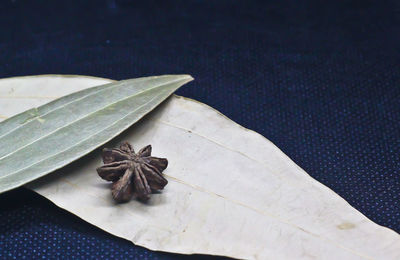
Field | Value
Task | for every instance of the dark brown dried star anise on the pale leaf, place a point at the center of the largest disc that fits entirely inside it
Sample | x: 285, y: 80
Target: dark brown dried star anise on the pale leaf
x: 132, y: 174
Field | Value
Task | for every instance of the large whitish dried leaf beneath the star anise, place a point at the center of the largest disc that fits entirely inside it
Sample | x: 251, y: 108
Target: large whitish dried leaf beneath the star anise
x: 231, y: 192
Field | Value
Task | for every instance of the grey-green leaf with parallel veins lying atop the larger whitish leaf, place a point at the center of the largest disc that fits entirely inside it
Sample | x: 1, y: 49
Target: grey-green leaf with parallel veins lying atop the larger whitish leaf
x: 43, y: 139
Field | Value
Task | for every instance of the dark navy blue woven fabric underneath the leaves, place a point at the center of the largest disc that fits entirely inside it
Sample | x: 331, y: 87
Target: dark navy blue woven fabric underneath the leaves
x: 320, y: 79
